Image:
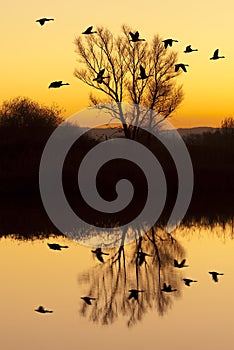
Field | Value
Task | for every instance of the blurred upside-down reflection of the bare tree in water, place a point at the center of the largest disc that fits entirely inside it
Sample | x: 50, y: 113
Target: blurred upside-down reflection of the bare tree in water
x: 110, y: 282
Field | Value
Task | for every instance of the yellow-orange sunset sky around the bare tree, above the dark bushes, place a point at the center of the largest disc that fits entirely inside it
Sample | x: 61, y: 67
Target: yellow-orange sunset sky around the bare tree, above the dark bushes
x: 32, y: 55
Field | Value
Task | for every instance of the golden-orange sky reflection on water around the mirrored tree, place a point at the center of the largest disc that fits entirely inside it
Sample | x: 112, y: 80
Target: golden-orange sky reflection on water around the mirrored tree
x: 34, y: 275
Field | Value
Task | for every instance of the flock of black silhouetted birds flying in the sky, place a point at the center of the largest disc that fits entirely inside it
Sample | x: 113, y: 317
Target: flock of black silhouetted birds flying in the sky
x: 134, y: 37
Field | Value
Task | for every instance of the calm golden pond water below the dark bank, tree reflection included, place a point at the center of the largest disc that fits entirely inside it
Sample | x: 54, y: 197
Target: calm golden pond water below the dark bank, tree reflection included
x: 195, y: 317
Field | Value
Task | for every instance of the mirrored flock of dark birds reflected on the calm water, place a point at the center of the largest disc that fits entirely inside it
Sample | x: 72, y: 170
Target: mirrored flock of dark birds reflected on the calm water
x: 141, y: 258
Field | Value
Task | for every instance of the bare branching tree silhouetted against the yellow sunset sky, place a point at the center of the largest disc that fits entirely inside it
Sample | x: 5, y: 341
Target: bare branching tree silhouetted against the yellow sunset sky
x: 139, y: 72
